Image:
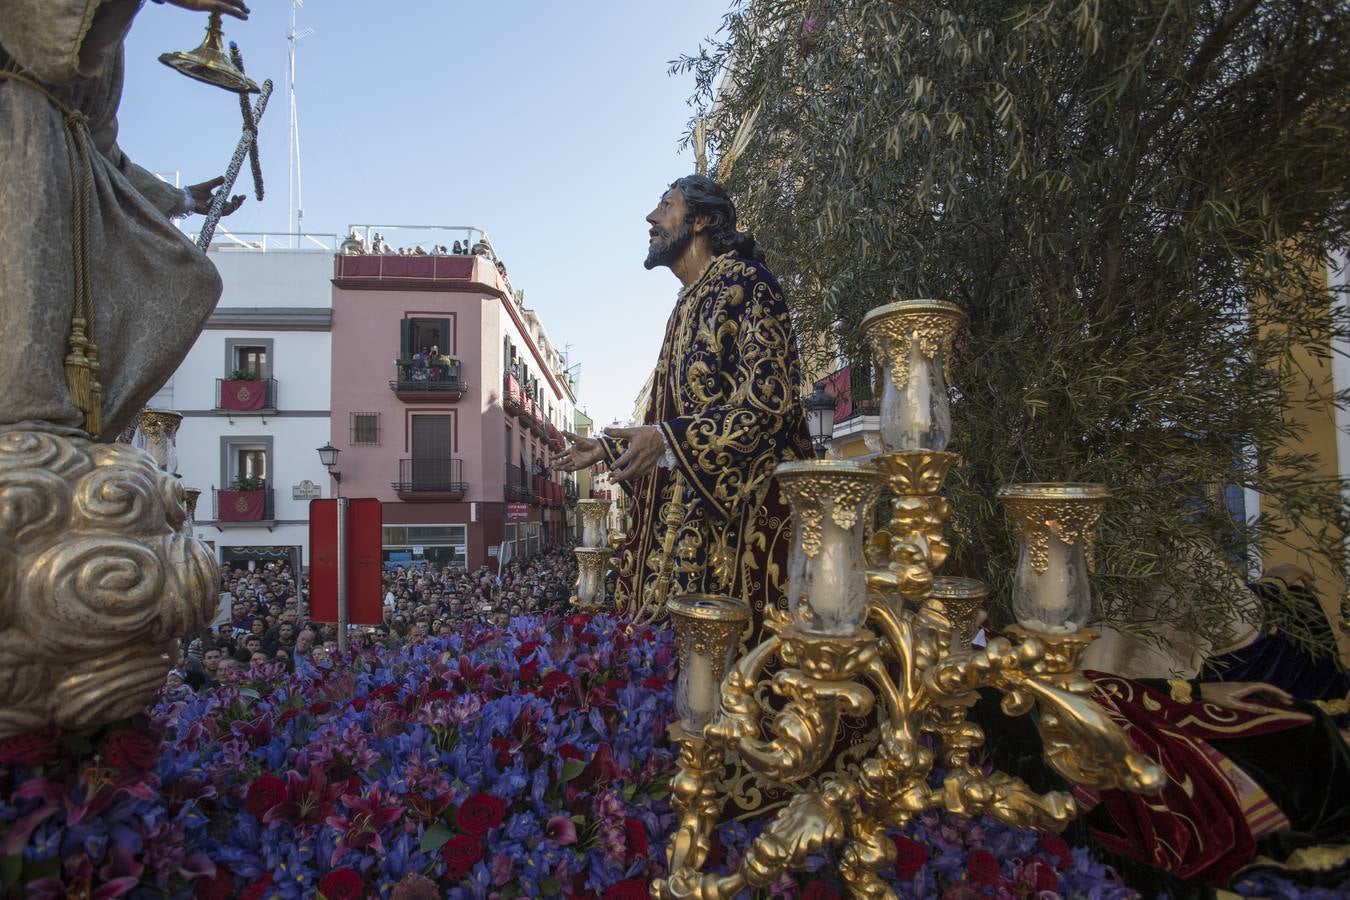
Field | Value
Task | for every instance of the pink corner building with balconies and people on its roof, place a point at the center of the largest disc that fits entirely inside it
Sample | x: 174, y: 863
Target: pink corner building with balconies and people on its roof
x: 448, y: 403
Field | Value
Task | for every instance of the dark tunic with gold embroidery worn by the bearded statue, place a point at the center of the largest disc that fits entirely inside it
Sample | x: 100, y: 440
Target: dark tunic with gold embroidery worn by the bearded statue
x: 726, y: 397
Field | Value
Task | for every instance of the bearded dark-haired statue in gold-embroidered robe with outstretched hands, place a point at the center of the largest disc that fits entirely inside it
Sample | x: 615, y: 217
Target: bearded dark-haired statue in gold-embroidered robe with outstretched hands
x: 724, y: 412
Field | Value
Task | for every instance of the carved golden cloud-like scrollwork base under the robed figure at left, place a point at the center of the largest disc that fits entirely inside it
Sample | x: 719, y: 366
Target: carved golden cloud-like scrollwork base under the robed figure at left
x: 98, y: 581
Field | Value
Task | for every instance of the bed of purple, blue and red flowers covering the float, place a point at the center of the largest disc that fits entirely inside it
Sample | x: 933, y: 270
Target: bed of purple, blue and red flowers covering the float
x: 529, y: 760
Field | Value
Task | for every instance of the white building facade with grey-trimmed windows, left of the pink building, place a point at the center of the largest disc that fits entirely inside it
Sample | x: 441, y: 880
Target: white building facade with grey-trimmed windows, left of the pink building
x: 256, y: 403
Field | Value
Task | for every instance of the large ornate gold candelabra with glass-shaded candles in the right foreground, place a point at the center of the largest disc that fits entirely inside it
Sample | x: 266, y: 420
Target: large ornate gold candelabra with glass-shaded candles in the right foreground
x: 871, y: 632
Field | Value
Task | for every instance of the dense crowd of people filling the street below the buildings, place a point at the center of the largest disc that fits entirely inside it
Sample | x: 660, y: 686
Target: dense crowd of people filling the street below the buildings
x: 264, y: 615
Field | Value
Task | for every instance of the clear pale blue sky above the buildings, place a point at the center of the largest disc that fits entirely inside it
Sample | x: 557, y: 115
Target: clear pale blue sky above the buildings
x: 553, y: 126
